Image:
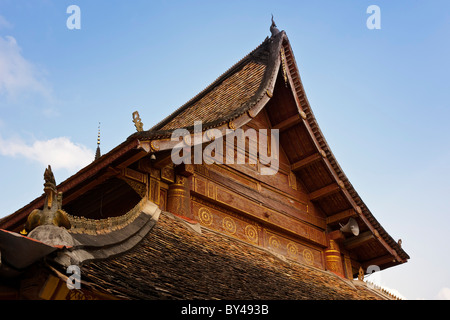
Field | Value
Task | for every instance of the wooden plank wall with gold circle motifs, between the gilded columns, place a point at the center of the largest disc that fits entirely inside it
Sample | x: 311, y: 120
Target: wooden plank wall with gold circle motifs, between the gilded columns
x: 269, y: 211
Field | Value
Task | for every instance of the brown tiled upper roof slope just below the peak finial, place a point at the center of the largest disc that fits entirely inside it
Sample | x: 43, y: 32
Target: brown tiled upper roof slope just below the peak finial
x: 230, y: 95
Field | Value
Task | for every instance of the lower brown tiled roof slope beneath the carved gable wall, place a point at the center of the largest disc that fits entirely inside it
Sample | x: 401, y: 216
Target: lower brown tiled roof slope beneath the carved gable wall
x: 175, y: 262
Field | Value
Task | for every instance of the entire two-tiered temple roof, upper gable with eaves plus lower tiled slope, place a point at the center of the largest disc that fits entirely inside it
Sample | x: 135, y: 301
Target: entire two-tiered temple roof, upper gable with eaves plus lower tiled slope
x: 151, y: 269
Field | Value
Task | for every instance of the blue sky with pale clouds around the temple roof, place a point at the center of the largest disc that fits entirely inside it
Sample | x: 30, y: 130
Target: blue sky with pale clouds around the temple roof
x: 381, y: 96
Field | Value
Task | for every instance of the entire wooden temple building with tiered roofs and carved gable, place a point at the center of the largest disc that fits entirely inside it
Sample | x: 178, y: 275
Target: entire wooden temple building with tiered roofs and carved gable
x: 135, y: 225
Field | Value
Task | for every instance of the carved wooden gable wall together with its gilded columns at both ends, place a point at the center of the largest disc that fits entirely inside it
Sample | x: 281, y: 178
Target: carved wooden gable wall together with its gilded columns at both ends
x: 271, y: 211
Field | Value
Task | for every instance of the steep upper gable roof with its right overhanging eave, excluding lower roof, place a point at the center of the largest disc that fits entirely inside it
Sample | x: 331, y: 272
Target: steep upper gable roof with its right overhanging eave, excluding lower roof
x: 241, y: 93
